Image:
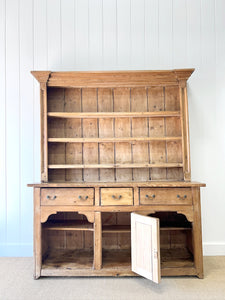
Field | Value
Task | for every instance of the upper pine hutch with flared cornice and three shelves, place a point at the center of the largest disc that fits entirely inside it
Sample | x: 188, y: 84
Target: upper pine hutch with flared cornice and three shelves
x: 116, y: 126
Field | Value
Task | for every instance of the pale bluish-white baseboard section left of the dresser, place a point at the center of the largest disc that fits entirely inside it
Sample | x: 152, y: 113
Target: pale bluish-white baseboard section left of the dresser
x: 16, y: 250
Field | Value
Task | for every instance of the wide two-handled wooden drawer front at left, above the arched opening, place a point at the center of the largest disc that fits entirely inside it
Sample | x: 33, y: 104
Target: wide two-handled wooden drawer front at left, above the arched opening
x: 67, y: 196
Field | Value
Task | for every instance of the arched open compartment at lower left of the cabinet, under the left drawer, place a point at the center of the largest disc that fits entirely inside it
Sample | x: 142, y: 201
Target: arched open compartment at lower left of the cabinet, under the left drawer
x: 67, y: 242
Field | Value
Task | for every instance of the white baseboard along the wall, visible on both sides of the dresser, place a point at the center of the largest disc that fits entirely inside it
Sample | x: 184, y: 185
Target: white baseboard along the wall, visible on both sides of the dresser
x: 22, y: 250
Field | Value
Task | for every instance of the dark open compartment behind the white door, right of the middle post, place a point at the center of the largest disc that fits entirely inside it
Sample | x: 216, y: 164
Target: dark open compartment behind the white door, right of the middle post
x: 176, y: 249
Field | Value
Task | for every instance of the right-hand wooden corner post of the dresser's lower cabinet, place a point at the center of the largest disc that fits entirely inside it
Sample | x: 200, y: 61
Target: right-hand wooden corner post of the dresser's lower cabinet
x: 197, y: 233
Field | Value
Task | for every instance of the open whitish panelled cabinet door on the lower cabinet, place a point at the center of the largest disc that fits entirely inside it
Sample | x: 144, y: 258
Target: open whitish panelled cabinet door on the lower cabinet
x: 145, y: 248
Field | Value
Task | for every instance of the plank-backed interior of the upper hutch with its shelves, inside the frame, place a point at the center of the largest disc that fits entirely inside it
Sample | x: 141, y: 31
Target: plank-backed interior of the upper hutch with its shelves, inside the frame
x: 158, y: 143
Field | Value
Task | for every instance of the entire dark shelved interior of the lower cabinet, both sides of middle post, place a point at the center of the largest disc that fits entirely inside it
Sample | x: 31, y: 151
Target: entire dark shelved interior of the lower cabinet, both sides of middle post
x: 67, y: 240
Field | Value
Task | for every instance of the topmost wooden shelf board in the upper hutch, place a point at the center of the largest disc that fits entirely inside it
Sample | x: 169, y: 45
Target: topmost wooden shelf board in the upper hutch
x: 80, y: 115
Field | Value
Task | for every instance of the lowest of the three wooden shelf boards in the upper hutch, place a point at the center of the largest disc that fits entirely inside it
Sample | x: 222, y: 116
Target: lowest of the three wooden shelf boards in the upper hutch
x: 118, y: 166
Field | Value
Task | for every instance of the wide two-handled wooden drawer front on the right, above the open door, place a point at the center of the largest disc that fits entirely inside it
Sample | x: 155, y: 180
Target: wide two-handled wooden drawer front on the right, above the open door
x: 182, y: 196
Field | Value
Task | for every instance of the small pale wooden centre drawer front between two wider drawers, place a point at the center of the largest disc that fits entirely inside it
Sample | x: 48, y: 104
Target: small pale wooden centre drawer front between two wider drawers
x: 116, y: 196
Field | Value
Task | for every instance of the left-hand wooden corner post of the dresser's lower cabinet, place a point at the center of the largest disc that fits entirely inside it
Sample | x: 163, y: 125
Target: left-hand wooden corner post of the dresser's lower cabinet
x: 37, y: 234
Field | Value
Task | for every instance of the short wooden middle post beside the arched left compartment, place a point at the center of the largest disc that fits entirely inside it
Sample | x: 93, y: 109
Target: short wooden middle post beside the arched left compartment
x: 97, y: 241
